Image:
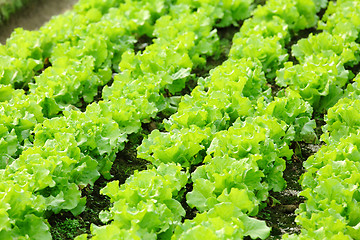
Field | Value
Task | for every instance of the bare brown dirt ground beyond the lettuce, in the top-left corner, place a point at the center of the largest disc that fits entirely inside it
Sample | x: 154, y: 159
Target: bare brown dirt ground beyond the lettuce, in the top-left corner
x: 34, y: 15
